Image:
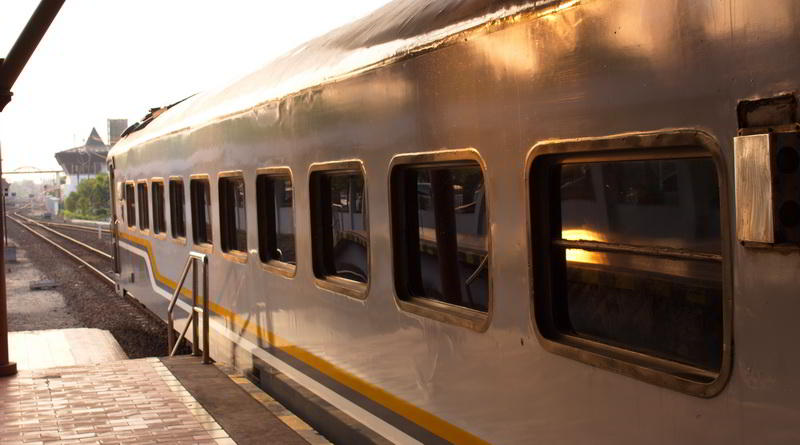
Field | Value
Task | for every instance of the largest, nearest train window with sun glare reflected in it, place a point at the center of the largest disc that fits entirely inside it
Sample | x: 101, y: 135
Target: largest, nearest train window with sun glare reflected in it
x: 628, y: 257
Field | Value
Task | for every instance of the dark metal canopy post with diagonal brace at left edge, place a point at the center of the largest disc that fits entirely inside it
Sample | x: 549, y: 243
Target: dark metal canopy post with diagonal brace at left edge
x: 10, y: 69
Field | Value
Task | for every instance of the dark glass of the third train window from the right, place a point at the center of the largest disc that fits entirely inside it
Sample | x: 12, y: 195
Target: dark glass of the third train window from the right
x: 339, y: 215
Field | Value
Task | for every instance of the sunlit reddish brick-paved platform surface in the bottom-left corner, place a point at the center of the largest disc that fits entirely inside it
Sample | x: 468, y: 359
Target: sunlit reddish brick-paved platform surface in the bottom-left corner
x: 126, y: 401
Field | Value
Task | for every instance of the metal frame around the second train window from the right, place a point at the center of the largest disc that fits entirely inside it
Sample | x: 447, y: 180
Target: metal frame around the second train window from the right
x: 427, y: 307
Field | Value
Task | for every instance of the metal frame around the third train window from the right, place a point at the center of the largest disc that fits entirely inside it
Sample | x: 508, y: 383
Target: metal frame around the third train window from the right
x: 343, y: 286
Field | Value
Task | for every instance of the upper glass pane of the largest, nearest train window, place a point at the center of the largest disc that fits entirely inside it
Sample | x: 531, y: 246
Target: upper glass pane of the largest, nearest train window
x: 671, y: 203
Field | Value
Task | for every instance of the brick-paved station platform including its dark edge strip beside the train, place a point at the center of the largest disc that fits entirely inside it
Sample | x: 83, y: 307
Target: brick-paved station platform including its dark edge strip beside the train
x: 172, y: 400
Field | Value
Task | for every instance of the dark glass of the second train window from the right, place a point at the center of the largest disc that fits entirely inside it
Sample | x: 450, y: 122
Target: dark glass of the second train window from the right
x: 440, y: 214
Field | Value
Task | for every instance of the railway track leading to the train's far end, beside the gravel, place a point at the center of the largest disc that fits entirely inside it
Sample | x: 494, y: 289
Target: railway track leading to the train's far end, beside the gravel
x: 95, y: 261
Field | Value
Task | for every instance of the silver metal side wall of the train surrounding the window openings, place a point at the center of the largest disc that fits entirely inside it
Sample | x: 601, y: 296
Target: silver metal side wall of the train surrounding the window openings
x: 599, y: 67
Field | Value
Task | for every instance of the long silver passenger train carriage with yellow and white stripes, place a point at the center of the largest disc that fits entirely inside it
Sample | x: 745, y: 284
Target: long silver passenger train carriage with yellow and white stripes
x: 486, y: 221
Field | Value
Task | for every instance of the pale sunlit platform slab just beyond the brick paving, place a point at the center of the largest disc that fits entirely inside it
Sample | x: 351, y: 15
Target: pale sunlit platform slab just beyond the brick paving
x: 63, y: 347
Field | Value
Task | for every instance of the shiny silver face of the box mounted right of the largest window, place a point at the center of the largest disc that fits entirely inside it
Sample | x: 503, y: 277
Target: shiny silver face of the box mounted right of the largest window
x: 754, y: 218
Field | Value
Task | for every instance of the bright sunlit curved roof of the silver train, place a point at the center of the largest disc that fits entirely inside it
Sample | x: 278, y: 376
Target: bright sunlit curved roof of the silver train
x: 400, y: 28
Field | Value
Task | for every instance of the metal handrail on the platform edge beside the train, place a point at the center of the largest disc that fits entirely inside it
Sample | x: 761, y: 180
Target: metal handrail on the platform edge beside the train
x: 191, y: 261
